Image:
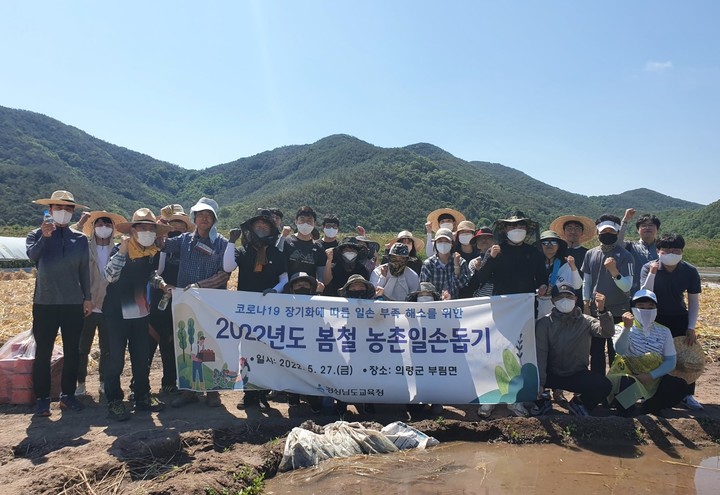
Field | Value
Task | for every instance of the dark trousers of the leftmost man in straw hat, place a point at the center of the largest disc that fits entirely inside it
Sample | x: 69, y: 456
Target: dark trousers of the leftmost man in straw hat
x: 47, y: 318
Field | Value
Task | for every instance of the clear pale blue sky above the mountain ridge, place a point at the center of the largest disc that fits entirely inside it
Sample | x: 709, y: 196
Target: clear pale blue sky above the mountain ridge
x: 592, y: 97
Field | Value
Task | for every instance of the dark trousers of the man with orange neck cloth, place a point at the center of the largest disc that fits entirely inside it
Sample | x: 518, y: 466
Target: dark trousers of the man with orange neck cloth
x: 133, y: 335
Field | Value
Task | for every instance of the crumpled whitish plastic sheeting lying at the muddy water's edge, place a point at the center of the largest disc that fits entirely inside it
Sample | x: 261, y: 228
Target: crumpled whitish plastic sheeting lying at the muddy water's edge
x: 305, y: 447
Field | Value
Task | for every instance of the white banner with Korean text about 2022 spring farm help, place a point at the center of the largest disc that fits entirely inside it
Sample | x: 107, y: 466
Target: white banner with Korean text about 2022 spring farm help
x: 479, y: 350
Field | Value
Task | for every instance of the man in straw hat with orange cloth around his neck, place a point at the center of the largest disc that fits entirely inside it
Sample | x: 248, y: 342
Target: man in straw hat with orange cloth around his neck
x: 132, y: 265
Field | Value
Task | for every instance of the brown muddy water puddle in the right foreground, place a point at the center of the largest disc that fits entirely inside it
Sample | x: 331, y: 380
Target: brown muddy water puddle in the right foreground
x: 475, y: 468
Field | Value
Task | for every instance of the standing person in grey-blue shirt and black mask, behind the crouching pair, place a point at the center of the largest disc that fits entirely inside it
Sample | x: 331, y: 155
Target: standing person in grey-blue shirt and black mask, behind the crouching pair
x: 607, y: 269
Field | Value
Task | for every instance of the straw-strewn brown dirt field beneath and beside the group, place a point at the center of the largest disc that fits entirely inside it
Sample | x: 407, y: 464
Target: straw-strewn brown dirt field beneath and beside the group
x: 197, y: 449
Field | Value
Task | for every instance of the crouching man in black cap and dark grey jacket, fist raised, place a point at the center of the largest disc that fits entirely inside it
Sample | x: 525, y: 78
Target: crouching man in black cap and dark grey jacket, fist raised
x: 563, y: 339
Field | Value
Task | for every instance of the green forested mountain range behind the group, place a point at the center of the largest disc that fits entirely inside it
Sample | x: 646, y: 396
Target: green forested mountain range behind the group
x: 384, y: 189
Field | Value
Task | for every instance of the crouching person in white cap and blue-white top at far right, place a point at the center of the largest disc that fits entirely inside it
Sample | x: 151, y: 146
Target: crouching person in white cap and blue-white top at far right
x: 646, y: 354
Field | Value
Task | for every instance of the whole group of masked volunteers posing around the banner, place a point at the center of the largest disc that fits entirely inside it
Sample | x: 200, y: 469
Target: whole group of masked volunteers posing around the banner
x: 86, y: 282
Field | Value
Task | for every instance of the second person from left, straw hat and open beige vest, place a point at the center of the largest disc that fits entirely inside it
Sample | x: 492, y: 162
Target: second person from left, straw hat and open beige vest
x: 99, y: 227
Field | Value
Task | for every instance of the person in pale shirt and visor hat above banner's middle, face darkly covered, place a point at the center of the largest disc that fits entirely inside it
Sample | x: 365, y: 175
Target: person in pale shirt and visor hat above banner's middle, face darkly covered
x: 396, y: 279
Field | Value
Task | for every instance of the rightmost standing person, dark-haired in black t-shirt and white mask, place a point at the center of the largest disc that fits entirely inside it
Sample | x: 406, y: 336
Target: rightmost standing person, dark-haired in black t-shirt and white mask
x: 670, y: 278
